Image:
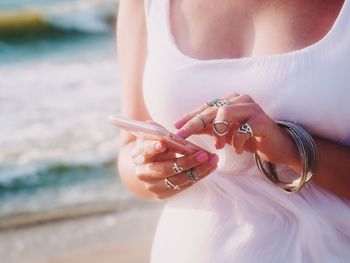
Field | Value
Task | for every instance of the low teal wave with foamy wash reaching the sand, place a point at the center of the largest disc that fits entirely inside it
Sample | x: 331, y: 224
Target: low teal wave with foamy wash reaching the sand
x: 59, y: 191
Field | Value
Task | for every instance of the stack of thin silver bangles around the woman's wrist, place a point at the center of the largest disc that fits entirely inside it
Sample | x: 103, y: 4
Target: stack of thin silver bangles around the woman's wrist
x: 308, y: 155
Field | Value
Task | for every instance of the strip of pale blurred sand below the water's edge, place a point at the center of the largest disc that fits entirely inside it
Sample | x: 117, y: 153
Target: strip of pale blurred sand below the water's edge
x: 113, y: 237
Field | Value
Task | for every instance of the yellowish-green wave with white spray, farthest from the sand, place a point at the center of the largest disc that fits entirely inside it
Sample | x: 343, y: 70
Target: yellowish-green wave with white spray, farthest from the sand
x: 84, y: 16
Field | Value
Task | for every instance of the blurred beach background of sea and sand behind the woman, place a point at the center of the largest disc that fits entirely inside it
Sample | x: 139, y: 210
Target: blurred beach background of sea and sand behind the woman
x: 60, y: 197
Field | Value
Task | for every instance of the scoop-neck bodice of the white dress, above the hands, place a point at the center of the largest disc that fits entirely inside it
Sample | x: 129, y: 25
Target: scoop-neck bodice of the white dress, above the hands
x: 309, y: 86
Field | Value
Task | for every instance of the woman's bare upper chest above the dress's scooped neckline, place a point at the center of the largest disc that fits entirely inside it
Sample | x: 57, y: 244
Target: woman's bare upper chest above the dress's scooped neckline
x: 207, y: 29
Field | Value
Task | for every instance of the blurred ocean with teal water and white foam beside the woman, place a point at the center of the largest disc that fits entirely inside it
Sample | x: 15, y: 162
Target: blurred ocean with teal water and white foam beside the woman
x: 58, y: 84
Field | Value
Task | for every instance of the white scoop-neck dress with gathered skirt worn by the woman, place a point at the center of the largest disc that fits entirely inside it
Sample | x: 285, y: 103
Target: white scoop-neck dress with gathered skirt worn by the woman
x: 235, y: 215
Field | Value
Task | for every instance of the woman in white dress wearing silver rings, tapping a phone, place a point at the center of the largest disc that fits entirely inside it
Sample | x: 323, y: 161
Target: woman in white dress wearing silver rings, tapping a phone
x: 266, y: 61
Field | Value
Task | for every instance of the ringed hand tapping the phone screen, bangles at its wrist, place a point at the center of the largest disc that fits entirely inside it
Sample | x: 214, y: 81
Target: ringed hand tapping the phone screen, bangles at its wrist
x: 229, y: 121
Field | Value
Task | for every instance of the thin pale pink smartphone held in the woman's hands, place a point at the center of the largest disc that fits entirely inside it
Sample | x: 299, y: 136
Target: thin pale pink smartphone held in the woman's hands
x: 150, y: 131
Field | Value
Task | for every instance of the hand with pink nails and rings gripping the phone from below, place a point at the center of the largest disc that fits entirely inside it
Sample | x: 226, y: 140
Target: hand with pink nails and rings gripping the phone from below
x: 154, y: 162
